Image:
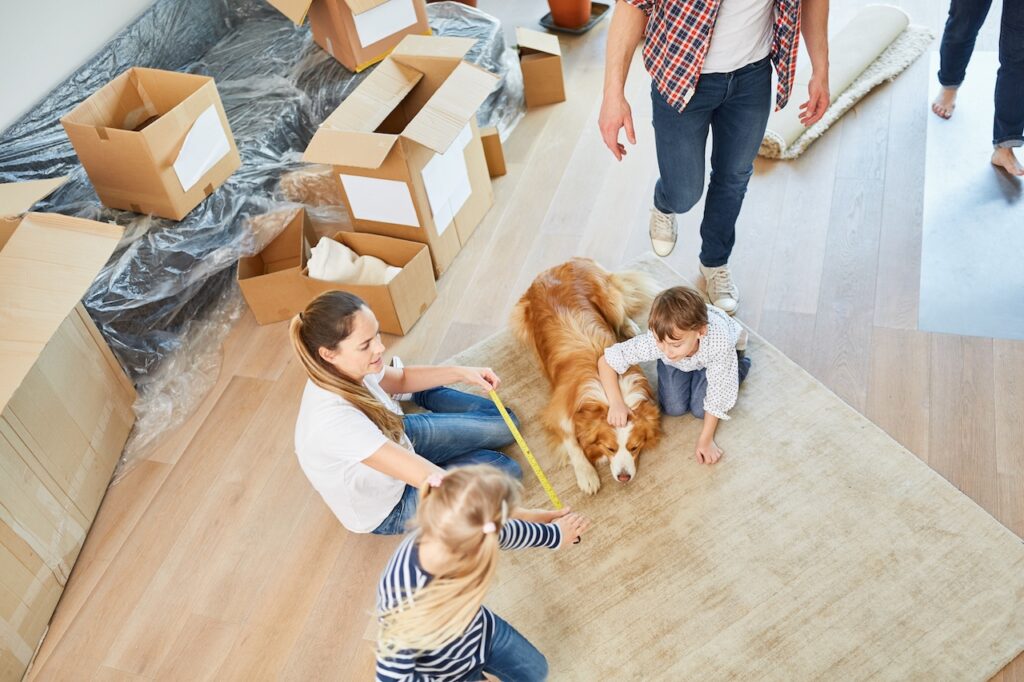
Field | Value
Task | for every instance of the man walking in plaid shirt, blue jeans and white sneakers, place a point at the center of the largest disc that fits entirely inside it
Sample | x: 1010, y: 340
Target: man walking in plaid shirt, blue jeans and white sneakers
x: 710, y: 63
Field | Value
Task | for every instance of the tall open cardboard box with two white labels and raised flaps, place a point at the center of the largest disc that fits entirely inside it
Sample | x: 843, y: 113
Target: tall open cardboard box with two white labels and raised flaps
x: 406, y: 149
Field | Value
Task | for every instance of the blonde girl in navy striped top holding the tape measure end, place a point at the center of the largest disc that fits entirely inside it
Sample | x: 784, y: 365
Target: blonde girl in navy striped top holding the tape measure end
x: 434, y: 625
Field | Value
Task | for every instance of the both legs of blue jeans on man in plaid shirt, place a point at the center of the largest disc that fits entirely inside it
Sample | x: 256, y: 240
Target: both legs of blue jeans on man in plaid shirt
x: 736, y: 108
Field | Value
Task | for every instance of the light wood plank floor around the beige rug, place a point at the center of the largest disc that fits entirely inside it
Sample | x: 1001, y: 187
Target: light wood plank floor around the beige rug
x: 216, y: 560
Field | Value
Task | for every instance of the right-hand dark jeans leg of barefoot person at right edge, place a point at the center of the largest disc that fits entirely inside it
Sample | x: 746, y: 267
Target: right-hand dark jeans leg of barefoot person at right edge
x: 1008, y: 126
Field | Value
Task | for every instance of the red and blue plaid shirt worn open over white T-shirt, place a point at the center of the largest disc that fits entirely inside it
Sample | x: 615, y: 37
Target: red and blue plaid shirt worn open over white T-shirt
x: 679, y: 33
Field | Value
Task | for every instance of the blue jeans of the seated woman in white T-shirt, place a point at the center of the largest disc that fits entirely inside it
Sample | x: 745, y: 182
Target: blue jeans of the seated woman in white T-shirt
x: 460, y: 430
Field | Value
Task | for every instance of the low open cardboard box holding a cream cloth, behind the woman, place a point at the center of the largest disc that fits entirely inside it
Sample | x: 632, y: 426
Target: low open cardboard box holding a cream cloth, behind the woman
x: 277, y: 285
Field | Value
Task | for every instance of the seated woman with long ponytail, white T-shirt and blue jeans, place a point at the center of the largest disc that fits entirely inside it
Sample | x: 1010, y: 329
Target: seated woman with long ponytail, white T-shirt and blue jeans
x: 361, y: 453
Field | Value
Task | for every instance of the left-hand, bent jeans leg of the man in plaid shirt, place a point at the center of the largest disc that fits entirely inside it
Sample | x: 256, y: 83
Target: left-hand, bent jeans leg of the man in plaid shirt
x: 680, y: 140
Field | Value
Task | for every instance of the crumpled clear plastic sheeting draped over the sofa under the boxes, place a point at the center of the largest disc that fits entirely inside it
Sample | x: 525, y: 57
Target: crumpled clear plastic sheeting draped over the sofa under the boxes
x: 166, y: 300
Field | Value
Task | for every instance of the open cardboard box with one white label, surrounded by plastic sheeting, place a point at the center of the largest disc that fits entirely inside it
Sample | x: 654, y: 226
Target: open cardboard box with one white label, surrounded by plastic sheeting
x: 154, y: 142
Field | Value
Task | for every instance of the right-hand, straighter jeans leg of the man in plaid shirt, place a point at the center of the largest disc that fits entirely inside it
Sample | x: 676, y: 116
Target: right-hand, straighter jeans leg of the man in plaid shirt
x: 738, y: 127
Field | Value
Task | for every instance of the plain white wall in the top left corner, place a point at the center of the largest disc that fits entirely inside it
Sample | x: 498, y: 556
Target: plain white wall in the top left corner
x: 42, y: 42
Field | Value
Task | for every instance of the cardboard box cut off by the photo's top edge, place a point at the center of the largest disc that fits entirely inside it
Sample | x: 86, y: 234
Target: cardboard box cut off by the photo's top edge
x: 358, y: 33
